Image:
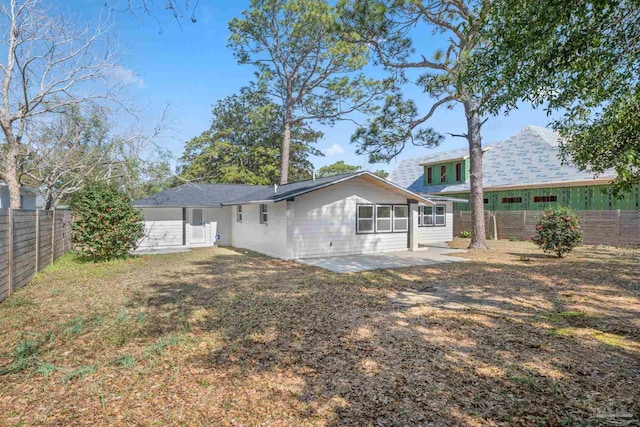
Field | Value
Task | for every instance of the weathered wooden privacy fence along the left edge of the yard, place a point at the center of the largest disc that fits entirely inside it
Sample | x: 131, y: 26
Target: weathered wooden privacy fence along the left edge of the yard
x: 29, y: 241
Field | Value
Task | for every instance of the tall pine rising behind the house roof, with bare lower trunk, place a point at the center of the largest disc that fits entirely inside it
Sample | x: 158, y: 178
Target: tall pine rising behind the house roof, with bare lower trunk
x: 304, y: 63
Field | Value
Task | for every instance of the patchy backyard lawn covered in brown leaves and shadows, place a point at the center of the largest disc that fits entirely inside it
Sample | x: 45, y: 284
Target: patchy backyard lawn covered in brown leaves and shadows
x: 217, y: 337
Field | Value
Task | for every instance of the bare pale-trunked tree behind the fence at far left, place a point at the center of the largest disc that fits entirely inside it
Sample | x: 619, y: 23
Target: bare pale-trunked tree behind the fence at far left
x: 52, y: 63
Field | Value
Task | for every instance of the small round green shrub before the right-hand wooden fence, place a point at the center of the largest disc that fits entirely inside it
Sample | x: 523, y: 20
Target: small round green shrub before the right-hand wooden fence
x: 558, y: 231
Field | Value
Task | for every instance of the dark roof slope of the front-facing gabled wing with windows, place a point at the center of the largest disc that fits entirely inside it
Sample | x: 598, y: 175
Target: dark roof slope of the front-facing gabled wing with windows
x: 286, y: 191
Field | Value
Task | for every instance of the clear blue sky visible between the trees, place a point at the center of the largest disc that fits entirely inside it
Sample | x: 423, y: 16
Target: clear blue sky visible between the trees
x: 188, y: 66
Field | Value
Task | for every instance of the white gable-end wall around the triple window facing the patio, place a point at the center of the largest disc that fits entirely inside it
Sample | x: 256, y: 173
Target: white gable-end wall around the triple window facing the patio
x: 325, y: 221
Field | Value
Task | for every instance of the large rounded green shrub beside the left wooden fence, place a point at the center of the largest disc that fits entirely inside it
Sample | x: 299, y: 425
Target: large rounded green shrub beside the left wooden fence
x: 105, y: 225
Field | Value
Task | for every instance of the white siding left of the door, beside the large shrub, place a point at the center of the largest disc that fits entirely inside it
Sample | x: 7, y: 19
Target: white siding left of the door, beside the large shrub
x: 163, y: 227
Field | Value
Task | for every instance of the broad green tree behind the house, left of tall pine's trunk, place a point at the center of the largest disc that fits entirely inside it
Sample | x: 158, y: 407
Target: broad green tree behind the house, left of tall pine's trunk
x: 243, y: 144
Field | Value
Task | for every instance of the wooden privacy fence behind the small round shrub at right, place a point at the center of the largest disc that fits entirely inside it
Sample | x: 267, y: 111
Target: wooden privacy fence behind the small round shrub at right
x: 613, y: 228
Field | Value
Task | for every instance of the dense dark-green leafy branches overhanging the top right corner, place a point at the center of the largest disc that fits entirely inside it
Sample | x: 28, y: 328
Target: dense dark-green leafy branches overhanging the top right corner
x: 578, y: 57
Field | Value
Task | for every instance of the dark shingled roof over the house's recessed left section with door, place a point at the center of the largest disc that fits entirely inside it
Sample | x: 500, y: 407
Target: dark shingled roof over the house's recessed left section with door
x: 198, y: 195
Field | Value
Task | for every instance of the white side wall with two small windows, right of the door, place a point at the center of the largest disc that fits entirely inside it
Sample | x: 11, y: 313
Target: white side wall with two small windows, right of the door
x: 270, y: 238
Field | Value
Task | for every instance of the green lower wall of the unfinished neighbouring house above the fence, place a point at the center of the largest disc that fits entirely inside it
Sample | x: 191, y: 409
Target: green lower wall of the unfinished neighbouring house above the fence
x: 593, y: 197
